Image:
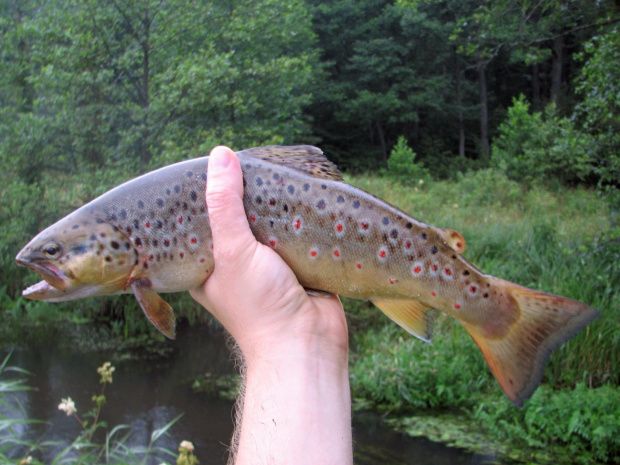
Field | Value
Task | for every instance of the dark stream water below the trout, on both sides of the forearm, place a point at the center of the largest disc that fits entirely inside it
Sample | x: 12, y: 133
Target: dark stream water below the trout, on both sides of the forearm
x: 149, y: 394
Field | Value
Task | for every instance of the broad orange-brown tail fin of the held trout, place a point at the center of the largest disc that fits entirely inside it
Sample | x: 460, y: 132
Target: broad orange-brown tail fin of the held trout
x: 542, y: 323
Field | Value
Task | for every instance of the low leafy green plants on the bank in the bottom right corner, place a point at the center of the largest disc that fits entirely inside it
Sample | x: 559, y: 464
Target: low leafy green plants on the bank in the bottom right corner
x: 577, y: 425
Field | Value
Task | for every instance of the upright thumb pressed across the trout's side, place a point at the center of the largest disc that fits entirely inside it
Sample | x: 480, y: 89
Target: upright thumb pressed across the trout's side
x: 229, y: 225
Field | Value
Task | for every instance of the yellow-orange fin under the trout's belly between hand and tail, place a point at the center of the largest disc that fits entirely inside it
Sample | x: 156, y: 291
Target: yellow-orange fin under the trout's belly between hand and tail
x: 412, y: 315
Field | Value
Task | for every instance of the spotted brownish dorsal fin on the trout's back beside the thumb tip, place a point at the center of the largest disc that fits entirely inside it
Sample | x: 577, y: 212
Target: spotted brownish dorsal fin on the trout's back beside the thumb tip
x: 304, y: 158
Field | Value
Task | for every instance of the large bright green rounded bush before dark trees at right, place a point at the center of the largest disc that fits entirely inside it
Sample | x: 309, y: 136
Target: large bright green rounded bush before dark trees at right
x: 541, y: 146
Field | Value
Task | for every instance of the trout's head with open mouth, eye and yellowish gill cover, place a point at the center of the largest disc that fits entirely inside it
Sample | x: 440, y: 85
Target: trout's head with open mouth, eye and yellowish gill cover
x: 78, y: 259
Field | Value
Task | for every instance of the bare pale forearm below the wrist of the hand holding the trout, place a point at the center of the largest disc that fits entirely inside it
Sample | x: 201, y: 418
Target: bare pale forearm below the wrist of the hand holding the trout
x: 297, y: 406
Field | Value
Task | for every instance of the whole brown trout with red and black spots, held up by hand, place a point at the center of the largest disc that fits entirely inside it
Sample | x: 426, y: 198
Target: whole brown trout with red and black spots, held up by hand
x: 152, y: 235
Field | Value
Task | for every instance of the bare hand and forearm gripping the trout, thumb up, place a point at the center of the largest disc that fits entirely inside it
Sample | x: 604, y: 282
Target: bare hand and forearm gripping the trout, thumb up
x: 297, y: 405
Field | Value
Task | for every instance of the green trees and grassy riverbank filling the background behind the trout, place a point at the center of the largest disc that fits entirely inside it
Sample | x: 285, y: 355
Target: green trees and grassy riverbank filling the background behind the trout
x: 498, y: 119
